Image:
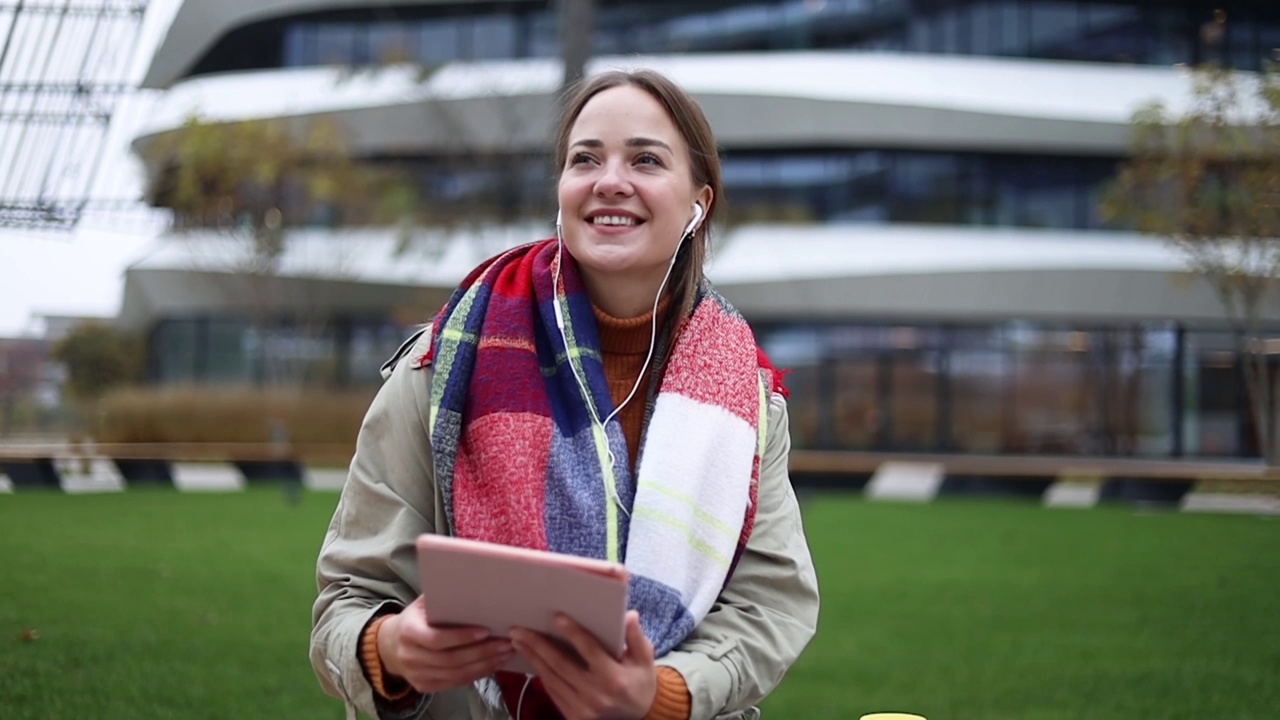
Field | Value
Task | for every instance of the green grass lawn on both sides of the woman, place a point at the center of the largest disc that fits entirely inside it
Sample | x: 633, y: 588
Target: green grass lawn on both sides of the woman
x: 153, y: 604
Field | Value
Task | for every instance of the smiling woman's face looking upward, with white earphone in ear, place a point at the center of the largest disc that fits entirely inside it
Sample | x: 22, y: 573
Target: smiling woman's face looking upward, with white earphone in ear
x: 627, y: 192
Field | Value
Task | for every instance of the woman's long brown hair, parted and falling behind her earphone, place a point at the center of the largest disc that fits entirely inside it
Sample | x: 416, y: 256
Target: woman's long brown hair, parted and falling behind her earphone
x: 703, y: 161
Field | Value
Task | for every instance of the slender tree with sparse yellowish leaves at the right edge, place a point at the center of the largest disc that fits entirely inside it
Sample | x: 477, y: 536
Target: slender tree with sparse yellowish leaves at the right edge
x: 1209, y: 181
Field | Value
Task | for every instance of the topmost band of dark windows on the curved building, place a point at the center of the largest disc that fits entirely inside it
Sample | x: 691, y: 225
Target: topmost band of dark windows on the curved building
x: 1087, y: 31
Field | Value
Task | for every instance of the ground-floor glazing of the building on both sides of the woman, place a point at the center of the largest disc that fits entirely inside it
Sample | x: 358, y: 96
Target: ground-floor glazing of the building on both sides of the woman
x: 1009, y: 388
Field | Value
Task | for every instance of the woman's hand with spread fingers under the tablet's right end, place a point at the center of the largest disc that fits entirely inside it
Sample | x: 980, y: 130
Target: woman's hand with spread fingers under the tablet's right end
x: 600, y: 686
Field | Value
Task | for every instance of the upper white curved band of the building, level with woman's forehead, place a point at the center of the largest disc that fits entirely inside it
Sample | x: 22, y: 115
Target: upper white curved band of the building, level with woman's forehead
x: 753, y: 101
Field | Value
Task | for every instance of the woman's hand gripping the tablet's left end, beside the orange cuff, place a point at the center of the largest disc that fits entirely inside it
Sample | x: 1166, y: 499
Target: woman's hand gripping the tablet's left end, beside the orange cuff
x: 437, y: 659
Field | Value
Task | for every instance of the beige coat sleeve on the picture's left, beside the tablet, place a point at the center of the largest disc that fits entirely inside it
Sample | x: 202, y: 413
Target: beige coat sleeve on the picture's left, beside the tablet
x: 368, y: 562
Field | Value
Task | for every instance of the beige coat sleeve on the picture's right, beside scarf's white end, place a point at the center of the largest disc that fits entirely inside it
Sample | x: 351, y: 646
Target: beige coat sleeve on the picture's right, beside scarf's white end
x: 767, y: 614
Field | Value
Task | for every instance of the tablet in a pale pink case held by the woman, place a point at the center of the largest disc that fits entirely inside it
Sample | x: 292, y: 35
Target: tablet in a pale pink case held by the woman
x: 500, y: 587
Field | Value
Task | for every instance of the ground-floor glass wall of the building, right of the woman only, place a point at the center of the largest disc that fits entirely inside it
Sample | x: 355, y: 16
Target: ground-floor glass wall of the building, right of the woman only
x: 1018, y: 388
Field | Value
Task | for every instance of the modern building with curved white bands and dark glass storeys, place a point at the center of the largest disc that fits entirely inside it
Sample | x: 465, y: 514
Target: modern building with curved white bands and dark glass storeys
x: 912, y: 192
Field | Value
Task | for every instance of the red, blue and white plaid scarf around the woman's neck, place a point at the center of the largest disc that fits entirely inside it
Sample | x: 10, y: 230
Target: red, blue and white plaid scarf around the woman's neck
x: 522, y: 462
